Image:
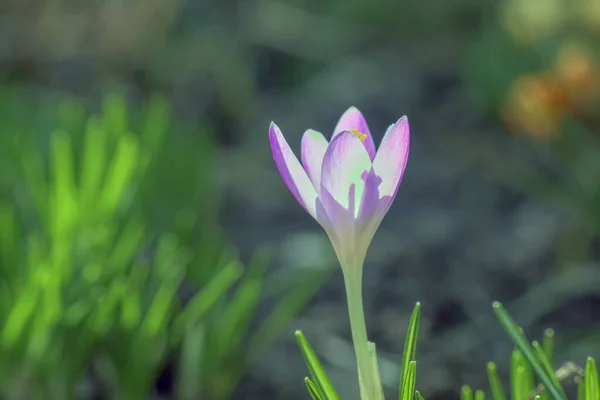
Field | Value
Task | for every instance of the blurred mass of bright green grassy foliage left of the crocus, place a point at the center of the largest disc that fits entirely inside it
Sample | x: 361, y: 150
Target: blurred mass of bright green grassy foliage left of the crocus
x: 107, y: 220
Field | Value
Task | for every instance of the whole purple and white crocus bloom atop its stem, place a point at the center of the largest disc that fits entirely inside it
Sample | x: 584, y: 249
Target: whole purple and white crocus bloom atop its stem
x: 345, y: 184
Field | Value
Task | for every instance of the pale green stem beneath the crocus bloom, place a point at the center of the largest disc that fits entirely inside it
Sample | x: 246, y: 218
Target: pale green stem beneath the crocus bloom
x: 366, y: 375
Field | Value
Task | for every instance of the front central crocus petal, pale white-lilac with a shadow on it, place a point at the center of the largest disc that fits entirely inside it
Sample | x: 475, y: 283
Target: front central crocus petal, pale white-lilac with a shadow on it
x: 343, y: 164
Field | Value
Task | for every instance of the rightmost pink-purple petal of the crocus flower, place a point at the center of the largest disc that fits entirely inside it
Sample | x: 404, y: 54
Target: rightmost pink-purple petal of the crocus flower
x: 391, y: 158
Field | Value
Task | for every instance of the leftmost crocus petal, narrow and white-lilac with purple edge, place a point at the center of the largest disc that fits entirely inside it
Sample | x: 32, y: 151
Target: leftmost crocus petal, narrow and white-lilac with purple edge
x: 292, y: 172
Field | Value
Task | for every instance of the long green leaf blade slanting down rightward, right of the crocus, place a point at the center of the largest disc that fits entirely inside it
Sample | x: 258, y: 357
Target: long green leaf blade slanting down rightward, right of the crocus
x: 522, y: 343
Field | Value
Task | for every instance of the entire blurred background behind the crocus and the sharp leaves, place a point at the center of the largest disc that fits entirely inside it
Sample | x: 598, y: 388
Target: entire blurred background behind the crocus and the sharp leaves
x: 150, y: 250
